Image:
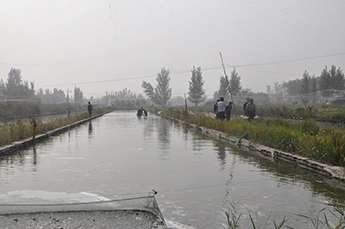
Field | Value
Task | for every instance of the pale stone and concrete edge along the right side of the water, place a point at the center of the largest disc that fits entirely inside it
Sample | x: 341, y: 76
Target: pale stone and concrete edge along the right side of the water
x: 336, y: 172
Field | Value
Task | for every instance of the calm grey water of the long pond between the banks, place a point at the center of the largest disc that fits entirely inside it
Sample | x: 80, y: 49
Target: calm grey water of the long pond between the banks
x: 121, y: 156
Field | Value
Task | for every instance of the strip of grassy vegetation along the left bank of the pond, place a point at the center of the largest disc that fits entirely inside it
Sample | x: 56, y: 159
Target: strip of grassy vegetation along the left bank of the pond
x: 27, y: 128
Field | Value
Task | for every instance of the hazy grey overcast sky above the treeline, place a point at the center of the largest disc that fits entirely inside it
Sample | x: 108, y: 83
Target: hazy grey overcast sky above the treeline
x: 108, y: 45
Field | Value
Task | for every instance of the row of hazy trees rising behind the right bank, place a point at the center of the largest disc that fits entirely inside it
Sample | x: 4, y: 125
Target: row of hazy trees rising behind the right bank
x: 325, y: 85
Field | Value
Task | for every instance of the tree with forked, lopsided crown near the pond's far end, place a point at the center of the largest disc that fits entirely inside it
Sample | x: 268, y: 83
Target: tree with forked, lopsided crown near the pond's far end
x: 161, y: 94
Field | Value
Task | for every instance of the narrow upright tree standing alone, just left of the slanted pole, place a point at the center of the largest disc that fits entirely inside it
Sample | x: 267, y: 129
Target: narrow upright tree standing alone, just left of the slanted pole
x: 196, y: 92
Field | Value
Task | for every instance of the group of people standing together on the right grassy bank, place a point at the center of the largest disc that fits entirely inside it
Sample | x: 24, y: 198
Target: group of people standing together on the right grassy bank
x: 223, y: 110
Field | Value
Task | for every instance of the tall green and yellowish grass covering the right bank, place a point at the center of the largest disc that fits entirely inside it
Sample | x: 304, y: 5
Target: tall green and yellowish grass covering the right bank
x: 320, y: 142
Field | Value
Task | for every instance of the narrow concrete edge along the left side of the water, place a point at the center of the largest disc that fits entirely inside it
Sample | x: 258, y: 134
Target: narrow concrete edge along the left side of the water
x: 17, y: 145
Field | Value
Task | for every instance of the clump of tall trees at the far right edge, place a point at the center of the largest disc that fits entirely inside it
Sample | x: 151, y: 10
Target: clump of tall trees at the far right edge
x: 332, y: 79
